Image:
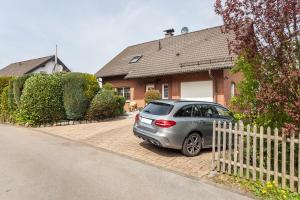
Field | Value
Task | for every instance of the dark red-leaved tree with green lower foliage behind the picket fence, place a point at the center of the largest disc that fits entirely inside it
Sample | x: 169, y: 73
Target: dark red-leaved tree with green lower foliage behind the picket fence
x: 267, y: 35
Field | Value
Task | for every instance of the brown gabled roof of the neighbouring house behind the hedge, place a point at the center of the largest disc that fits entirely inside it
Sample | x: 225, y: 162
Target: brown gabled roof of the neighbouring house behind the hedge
x: 27, y: 66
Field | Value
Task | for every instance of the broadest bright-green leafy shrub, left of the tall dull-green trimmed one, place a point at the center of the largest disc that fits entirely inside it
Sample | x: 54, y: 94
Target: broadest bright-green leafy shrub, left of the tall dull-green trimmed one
x: 41, y: 101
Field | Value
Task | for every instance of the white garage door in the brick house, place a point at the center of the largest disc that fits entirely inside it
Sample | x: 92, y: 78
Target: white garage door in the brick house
x: 197, y: 90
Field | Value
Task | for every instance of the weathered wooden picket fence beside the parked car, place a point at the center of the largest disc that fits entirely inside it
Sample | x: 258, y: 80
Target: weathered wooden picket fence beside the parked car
x: 256, y: 155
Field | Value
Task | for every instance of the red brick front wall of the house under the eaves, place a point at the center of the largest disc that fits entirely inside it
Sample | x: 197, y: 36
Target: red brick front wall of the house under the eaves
x: 221, y: 84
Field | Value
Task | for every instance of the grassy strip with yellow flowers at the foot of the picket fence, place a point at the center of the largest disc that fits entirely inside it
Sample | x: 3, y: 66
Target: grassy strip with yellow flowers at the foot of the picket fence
x: 265, y: 191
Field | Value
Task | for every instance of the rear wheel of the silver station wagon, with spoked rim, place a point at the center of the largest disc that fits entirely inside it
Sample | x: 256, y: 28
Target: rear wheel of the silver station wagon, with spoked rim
x: 192, y: 145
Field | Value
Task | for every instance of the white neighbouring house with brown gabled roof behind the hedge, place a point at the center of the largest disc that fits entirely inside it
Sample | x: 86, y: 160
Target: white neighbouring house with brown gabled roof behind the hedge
x: 46, y: 64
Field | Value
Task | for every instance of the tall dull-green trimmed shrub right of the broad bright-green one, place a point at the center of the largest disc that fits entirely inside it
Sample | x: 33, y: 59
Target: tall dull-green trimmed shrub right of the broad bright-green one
x: 75, y: 101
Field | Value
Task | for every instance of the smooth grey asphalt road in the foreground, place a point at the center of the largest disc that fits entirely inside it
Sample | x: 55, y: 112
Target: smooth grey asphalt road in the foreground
x: 43, y: 167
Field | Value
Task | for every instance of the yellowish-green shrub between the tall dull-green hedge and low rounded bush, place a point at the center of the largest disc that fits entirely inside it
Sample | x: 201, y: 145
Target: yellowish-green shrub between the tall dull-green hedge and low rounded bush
x: 91, y: 86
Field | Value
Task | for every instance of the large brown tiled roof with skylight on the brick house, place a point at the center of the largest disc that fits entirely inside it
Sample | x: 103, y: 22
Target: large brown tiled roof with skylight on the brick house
x: 195, y: 51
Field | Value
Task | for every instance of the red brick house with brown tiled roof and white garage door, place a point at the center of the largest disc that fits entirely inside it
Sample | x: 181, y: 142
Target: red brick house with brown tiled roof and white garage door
x: 193, y: 66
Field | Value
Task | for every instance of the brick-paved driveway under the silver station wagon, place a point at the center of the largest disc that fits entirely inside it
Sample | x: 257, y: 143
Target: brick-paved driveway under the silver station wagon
x: 117, y: 136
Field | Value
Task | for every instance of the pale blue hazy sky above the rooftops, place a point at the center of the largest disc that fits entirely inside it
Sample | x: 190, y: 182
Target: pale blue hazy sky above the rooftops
x: 89, y: 33
